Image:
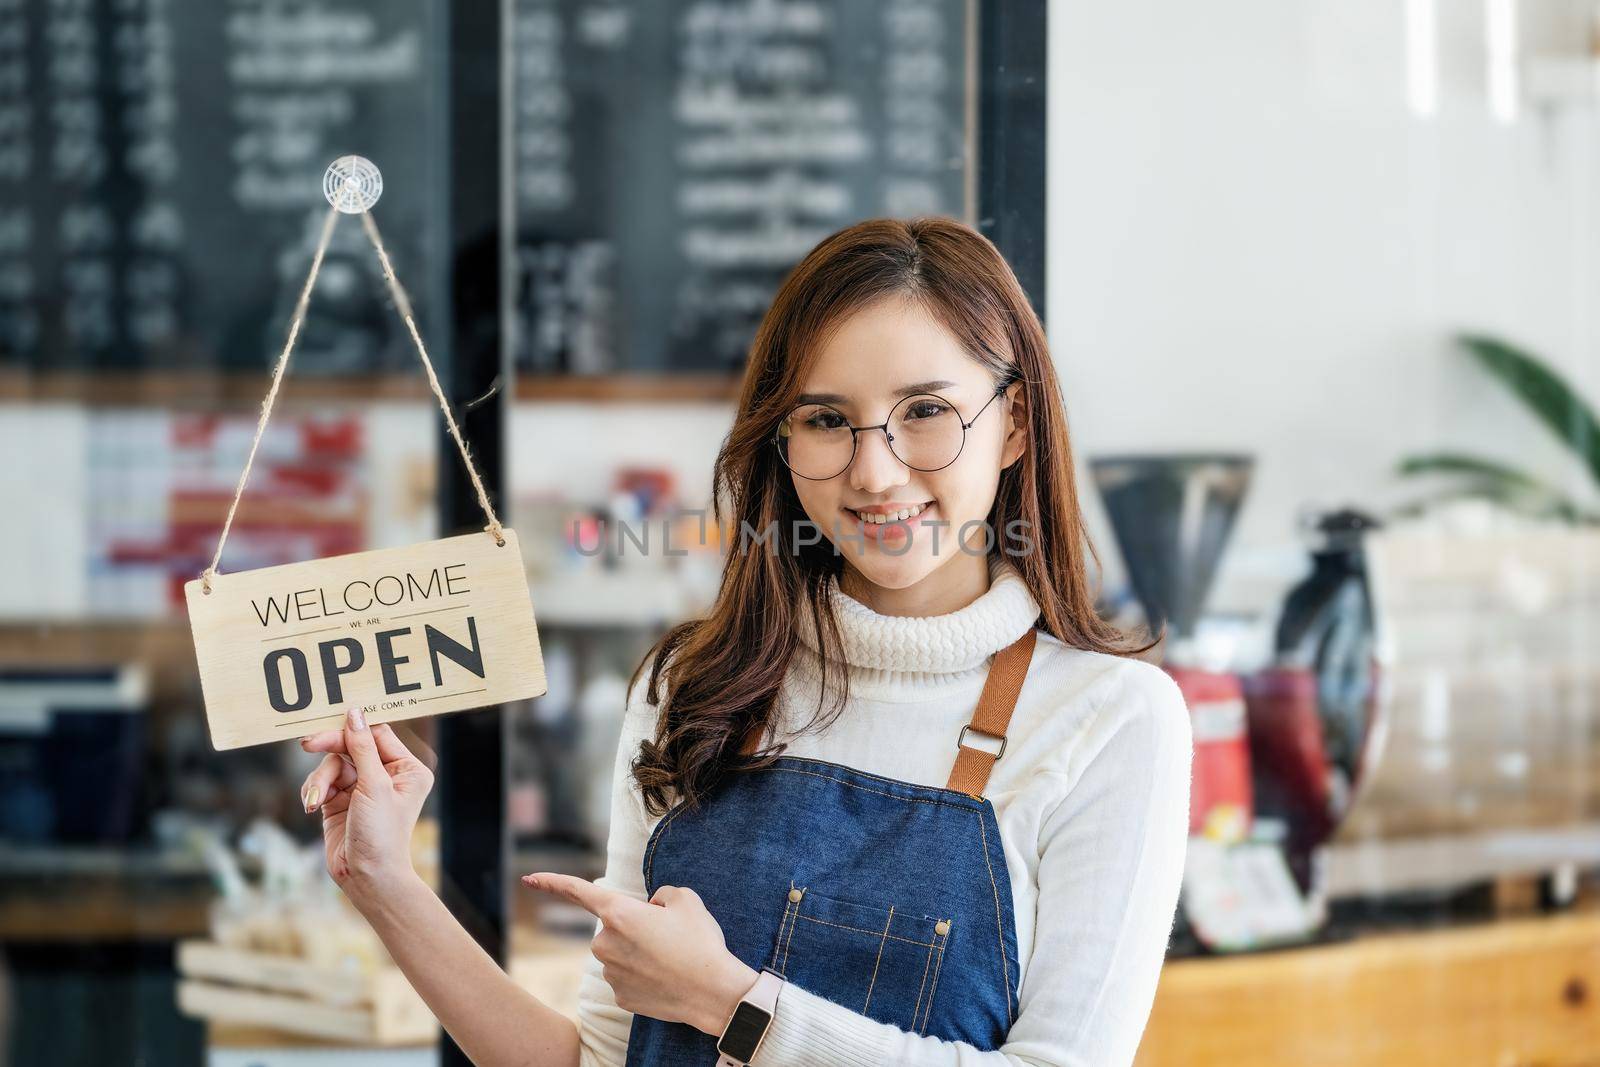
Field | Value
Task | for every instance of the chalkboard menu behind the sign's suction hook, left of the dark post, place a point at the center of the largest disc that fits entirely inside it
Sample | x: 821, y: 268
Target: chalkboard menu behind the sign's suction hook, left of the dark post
x: 161, y: 170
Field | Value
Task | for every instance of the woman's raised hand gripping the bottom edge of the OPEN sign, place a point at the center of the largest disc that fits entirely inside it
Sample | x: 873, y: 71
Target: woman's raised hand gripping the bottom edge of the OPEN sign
x: 370, y: 789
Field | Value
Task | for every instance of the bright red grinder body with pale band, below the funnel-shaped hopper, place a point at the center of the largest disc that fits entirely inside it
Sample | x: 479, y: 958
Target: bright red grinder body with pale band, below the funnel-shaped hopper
x: 1222, y: 804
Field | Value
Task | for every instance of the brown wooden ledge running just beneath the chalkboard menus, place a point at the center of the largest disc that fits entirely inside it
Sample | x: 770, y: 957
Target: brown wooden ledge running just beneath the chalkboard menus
x: 210, y: 390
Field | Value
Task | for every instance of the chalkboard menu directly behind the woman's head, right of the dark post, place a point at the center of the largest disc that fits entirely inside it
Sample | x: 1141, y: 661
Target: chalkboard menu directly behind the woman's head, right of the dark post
x: 674, y: 159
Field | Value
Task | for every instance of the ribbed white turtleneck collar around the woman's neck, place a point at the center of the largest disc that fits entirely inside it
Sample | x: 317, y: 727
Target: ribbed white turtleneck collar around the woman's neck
x: 905, y: 657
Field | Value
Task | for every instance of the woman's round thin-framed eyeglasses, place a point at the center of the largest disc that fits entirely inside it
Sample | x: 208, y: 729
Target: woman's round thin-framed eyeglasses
x: 924, y: 431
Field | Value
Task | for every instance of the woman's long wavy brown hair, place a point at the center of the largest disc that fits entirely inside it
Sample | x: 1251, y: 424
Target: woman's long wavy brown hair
x: 726, y: 669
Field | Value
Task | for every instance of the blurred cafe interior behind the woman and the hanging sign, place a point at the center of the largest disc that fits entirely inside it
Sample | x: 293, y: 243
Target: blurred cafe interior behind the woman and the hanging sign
x: 1319, y: 279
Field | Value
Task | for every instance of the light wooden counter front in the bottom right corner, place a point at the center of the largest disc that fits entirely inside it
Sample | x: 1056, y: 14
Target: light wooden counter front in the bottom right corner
x: 1505, y: 994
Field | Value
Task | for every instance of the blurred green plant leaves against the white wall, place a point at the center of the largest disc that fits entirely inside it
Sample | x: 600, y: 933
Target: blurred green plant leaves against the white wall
x: 1554, y: 404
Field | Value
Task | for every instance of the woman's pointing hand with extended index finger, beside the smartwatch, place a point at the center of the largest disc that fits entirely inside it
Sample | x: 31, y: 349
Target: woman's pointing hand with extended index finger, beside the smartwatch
x: 665, y: 959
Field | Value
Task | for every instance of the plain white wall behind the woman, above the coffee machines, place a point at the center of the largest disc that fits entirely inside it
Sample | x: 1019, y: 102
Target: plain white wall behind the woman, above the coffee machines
x: 1255, y: 246
